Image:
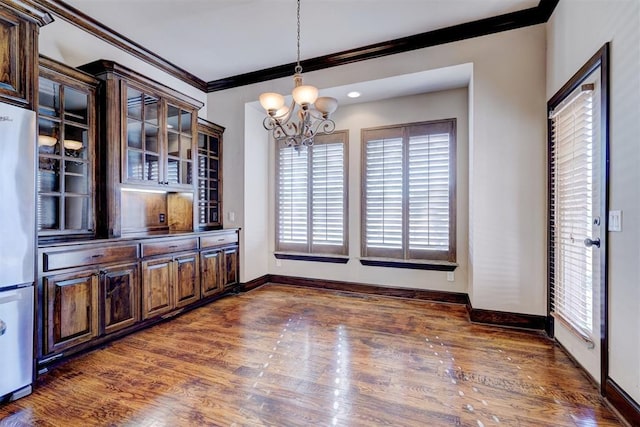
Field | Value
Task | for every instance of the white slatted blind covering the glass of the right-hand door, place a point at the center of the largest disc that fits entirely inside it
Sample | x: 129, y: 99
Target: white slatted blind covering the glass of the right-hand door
x: 572, y: 210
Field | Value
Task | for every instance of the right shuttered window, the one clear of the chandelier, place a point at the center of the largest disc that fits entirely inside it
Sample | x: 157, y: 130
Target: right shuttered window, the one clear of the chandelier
x: 408, y: 191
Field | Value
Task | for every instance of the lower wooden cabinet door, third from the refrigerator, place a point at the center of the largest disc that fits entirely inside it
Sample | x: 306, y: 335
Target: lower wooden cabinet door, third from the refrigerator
x: 156, y: 287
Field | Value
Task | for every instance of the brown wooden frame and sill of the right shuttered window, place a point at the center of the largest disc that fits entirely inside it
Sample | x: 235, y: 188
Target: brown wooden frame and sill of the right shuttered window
x: 447, y: 258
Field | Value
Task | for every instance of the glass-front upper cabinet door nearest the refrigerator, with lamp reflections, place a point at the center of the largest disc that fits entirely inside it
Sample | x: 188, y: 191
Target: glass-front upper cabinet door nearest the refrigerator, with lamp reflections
x: 65, y: 144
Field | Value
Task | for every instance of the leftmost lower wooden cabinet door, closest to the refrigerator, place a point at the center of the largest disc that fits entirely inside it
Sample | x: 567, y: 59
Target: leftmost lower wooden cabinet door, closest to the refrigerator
x: 72, y: 313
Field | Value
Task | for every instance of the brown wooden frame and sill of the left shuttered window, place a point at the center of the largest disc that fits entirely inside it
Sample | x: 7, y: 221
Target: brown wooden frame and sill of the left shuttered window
x: 315, y: 251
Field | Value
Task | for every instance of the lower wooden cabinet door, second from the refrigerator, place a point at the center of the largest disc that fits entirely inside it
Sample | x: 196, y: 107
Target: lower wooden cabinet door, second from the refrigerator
x: 120, y: 290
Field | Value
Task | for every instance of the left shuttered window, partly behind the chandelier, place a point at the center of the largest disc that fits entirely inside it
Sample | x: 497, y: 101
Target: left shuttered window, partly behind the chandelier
x: 311, y: 205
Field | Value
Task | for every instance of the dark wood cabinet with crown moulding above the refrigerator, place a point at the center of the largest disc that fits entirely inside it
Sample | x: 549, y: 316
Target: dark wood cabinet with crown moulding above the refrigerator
x: 19, y: 28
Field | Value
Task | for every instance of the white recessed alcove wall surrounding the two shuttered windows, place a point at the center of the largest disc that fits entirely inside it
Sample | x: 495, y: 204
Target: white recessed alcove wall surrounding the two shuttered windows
x: 432, y: 106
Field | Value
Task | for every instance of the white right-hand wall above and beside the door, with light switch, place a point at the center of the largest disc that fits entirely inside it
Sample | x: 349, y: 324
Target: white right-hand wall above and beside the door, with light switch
x: 576, y: 31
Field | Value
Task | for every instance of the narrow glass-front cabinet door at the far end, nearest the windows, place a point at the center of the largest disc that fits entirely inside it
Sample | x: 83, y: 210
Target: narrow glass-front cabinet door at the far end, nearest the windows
x: 209, y: 181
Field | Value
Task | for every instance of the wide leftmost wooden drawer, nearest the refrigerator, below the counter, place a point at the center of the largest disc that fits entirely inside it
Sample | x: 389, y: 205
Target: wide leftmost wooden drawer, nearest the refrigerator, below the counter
x: 88, y: 256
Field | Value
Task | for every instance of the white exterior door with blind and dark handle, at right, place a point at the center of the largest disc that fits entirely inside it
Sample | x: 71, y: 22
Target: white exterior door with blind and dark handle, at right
x: 577, y: 262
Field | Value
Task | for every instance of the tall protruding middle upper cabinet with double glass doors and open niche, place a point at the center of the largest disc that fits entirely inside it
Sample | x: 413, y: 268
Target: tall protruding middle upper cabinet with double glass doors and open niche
x: 147, y: 141
